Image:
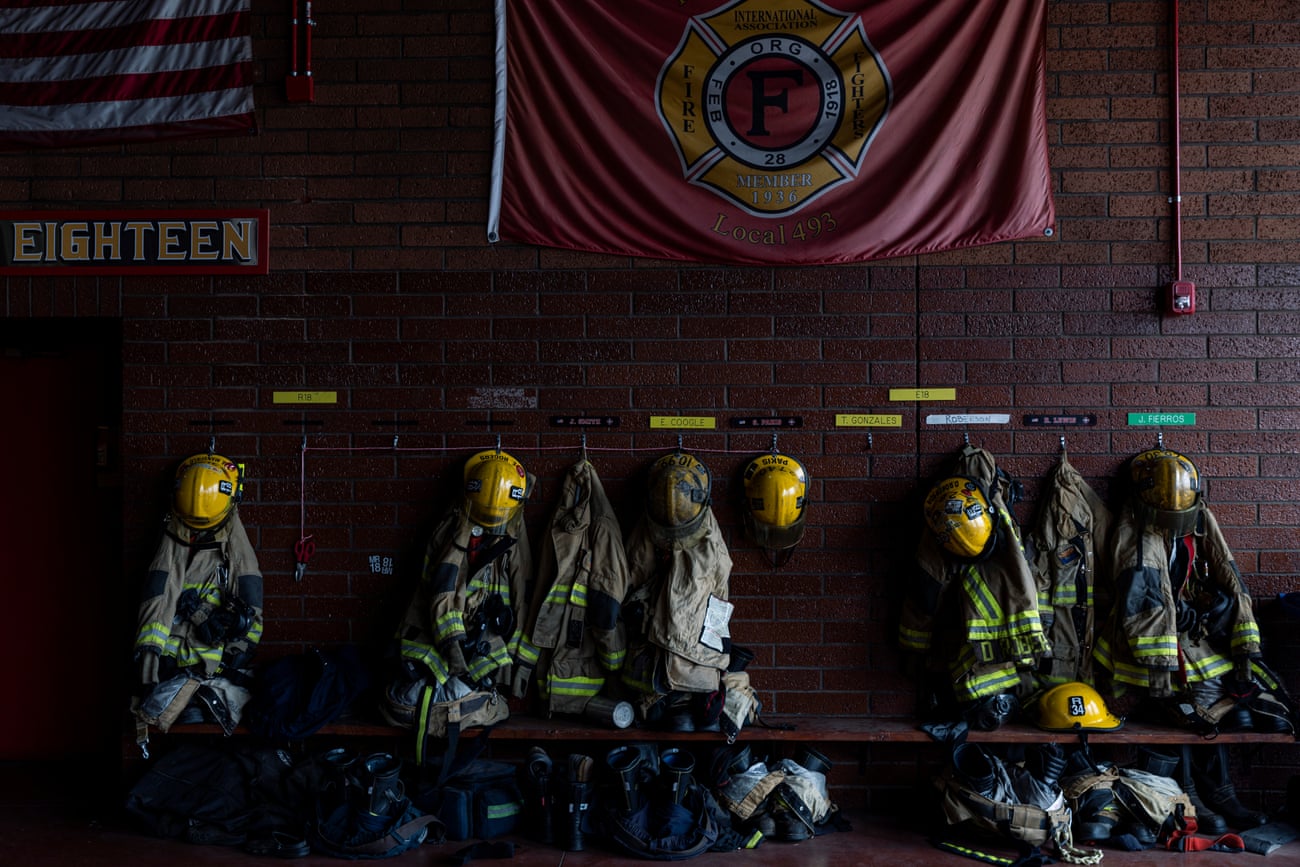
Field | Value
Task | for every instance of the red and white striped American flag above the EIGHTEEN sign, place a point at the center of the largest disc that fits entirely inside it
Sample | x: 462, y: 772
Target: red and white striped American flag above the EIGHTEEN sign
x: 97, y: 72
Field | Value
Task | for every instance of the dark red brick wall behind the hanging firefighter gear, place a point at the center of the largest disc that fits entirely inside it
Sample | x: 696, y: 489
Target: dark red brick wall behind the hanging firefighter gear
x: 384, y: 289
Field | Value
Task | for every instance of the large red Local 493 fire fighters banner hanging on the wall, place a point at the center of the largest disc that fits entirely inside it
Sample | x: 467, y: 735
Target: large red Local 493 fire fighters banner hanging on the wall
x: 770, y: 132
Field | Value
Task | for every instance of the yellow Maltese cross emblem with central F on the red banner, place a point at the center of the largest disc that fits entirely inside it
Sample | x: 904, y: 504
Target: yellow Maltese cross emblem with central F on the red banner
x: 772, y: 103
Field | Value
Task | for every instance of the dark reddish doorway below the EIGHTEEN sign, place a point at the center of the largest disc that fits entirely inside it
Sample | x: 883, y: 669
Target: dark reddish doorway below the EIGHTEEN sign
x: 62, y: 554
